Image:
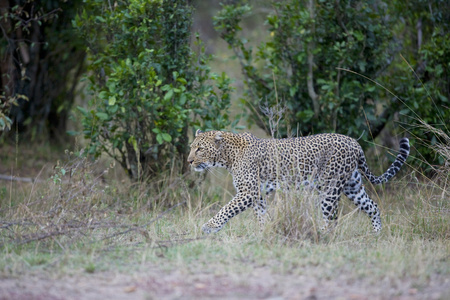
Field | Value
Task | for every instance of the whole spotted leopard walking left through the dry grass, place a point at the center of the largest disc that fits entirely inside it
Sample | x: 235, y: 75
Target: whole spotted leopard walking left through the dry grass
x: 329, y: 163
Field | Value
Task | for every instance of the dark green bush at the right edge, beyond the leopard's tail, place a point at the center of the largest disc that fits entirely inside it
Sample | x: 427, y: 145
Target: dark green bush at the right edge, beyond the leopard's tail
x: 426, y: 93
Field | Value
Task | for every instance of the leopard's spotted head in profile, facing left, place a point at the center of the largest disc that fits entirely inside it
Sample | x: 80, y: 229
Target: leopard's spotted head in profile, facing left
x: 206, y: 150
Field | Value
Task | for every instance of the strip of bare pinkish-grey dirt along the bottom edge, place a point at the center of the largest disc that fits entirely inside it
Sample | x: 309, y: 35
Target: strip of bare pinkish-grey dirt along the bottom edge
x: 261, y: 283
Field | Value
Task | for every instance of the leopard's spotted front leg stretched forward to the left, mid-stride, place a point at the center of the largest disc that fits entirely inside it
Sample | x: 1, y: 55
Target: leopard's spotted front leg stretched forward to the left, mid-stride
x: 238, y: 204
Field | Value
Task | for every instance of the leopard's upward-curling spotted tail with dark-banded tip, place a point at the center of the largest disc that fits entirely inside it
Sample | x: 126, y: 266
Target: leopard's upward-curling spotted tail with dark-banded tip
x: 392, y: 170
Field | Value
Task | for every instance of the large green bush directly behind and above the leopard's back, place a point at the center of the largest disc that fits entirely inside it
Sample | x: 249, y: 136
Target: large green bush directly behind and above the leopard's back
x: 299, y: 64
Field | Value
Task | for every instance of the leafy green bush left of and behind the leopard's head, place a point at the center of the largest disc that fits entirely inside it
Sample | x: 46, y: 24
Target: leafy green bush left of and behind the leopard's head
x: 148, y: 86
